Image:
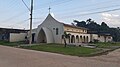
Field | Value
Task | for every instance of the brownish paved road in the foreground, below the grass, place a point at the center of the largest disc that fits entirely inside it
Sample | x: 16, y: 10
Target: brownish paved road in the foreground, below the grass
x: 15, y: 57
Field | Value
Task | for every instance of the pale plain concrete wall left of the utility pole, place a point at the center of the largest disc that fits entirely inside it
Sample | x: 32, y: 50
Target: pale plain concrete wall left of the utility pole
x: 14, y: 37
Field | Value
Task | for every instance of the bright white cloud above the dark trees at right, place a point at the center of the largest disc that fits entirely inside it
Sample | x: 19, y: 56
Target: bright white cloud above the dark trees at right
x: 111, y: 19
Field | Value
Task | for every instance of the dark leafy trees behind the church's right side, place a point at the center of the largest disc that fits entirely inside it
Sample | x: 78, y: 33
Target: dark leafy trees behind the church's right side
x: 99, y: 29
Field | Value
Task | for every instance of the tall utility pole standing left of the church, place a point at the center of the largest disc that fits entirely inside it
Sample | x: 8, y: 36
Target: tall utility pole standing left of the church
x: 31, y: 17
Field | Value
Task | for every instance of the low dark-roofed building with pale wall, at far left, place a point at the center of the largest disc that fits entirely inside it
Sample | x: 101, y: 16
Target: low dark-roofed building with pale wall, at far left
x: 12, y: 35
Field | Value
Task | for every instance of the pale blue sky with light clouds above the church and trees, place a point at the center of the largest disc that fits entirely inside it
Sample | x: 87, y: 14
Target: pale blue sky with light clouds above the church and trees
x: 14, y: 14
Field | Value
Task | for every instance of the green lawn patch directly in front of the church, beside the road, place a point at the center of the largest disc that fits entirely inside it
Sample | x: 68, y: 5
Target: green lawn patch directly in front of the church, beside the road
x: 69, y: 50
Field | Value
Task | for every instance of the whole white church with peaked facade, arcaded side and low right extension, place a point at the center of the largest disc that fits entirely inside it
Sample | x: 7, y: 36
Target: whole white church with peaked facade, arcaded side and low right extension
x: 51, y: 31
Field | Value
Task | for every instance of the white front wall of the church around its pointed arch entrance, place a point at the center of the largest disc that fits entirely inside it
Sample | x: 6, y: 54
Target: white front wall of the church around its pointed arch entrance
x: 51, y: 24
